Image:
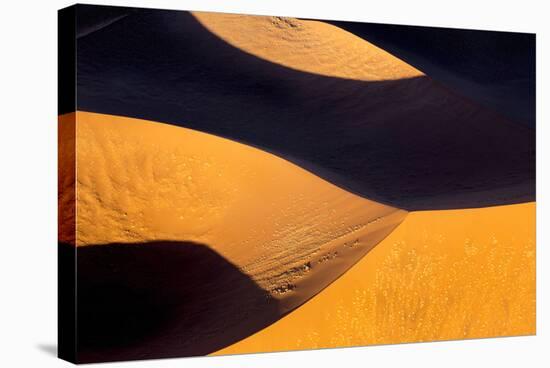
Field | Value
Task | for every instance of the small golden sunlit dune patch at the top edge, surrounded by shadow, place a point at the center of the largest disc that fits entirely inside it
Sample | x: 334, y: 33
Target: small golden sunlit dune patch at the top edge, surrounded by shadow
x: 307, y: 45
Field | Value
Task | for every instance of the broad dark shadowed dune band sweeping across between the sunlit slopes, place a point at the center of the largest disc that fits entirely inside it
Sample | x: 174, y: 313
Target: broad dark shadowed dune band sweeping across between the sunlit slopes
x: 410, y: 143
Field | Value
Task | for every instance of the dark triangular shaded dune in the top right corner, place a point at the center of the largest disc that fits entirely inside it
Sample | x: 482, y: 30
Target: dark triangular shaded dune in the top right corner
x: 496, y: 69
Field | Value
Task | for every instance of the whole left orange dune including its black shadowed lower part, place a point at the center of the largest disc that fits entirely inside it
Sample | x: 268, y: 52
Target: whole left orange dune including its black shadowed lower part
x: 148, y: 193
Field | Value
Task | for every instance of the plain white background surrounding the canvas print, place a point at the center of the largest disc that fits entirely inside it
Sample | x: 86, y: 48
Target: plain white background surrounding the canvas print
x: 28, y: 180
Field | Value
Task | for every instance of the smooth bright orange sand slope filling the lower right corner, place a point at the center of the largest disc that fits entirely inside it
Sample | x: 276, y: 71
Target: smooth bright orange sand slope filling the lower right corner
x: 440, y: 275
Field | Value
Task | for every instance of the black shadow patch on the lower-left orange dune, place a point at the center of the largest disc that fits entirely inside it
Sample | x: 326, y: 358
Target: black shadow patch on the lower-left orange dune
x: 163, y: 299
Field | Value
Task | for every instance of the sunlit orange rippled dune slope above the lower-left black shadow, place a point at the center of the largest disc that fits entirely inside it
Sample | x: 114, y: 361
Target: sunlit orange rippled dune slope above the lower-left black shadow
x: 290, y: 231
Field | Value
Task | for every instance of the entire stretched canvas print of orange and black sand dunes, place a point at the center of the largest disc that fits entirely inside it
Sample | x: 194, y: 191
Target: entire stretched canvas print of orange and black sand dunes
x: 236, y: 184
